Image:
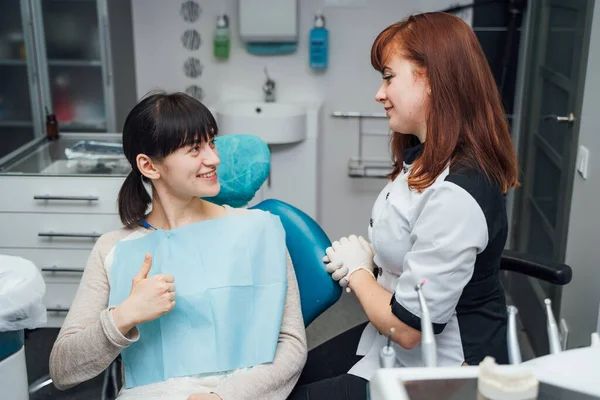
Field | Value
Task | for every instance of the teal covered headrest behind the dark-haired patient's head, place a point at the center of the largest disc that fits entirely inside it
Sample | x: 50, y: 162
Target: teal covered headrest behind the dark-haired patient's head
x: 245, y: 164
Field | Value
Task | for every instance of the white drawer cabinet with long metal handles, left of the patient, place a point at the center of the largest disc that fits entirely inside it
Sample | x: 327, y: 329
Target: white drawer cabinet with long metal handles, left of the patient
x: 55, y: 219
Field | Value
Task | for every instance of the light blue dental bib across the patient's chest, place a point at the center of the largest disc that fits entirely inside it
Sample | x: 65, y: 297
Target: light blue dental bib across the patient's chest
x: 231, y: 281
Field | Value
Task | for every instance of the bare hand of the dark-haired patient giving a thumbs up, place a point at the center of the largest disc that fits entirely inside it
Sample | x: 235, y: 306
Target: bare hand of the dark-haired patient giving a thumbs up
x: 149, y: 298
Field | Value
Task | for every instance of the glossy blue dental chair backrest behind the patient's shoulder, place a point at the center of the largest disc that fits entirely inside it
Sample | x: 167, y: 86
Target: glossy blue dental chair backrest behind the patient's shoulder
x: 306, y: 243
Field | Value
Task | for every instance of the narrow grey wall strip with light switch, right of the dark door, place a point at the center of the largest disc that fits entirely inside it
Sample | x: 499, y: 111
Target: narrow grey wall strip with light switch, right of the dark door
x: 580, y: 307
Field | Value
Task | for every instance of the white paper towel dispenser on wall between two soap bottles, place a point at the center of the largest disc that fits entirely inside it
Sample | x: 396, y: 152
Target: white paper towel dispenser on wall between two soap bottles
x: 268, y: 21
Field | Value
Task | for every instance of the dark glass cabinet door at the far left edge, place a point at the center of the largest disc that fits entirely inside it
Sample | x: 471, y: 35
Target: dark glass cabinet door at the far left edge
x: 20, y: 117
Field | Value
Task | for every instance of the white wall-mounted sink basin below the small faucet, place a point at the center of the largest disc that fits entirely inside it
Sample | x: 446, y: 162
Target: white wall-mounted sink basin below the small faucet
x: 274, y: 123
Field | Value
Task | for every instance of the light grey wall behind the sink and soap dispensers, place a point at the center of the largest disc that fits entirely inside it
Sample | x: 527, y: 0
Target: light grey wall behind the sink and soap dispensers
x: 349, y: 84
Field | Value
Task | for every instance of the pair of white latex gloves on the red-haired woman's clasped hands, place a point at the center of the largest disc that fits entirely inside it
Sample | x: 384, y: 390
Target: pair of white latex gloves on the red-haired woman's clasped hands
x: 347, y: 256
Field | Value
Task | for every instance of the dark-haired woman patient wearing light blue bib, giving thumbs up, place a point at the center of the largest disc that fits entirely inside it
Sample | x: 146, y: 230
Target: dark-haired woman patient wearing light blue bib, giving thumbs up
x: 184, y: 291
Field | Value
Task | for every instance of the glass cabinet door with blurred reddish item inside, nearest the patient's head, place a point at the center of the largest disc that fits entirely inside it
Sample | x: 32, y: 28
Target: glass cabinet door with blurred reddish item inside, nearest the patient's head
x: 76, y: 60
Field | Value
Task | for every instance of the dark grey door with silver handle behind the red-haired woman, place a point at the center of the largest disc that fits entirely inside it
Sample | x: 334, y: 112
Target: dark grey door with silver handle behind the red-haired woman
x: 557, y: 57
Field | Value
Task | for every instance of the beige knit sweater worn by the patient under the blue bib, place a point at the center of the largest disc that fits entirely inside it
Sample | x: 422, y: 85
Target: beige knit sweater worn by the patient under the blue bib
x: 89, y: 341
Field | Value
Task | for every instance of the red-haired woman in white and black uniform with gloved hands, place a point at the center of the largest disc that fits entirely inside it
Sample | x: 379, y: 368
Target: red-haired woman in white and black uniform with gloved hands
x: 441, y: 216
